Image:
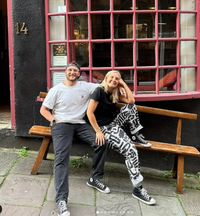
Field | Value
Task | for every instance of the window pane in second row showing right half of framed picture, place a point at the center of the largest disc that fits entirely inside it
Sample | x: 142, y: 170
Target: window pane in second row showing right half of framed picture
x: 145, y: 25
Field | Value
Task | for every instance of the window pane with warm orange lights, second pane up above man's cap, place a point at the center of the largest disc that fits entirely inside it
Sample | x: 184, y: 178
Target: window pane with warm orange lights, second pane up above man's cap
x: 78, y: 26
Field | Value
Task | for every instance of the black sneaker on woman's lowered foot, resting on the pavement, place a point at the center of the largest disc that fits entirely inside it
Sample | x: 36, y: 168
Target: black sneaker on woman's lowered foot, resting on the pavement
x: 142, y: 195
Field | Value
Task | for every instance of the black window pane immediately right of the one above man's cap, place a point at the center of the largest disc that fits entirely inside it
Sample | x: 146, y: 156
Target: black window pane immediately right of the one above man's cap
x: 101, y: 54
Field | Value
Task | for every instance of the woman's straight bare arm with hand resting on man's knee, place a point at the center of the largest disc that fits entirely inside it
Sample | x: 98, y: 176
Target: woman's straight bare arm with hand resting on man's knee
x: 100, y: 138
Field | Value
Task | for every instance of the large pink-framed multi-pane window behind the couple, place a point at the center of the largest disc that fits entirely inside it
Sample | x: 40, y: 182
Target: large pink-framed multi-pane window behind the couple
x: 153, y: 43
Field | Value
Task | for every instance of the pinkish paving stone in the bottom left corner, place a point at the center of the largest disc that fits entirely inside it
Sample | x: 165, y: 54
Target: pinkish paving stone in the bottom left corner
x: 9, y: 210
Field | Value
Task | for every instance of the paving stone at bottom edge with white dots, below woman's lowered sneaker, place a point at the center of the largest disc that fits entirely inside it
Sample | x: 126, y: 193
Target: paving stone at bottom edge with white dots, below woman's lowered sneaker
x: 117, y: 204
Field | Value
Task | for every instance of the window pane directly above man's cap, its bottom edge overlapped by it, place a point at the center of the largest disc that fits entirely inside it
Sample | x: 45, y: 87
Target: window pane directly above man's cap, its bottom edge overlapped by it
x: 79, y: 52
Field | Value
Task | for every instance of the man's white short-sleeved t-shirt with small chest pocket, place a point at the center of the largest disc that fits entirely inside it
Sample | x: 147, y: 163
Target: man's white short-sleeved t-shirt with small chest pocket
x: 69, y: 103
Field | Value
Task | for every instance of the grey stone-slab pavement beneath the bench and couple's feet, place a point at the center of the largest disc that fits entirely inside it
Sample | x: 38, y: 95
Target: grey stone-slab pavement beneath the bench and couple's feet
x: 22, y: 194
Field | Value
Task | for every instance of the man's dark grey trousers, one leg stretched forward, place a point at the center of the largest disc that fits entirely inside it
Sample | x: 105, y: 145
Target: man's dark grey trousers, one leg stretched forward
x: 62, y: 135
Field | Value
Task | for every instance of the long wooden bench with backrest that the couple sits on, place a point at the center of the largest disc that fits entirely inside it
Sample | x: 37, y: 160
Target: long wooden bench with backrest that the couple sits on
x: 175, y: 148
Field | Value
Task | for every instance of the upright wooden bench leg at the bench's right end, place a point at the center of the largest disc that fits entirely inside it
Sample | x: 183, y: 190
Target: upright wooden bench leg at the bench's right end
x: 180, y: 174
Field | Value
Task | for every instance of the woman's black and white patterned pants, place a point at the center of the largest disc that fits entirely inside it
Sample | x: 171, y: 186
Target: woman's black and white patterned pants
x: 119, y: 141
